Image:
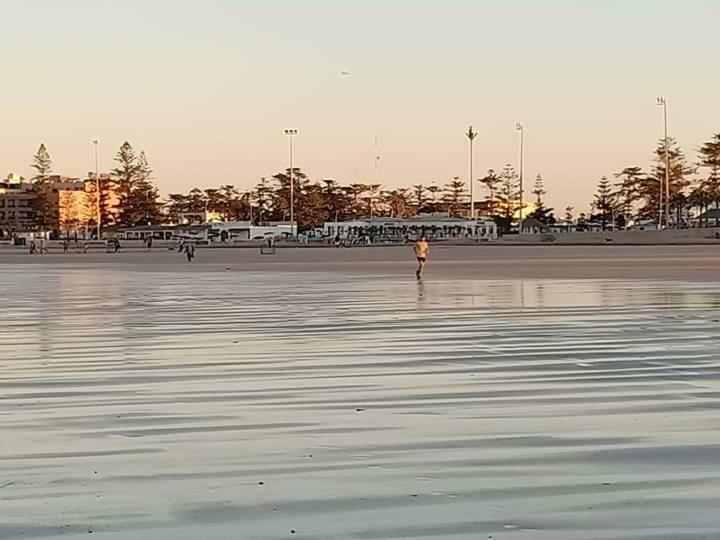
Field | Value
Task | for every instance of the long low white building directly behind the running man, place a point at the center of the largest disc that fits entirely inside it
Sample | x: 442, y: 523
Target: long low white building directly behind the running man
x: 379, y: 230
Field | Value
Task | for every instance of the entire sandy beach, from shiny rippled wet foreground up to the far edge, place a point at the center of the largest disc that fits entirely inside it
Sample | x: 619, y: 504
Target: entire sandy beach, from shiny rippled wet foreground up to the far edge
x: 143, y: 397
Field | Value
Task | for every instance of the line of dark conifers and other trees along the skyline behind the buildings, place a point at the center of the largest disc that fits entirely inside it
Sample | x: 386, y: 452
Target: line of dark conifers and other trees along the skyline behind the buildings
x: 128, y: 196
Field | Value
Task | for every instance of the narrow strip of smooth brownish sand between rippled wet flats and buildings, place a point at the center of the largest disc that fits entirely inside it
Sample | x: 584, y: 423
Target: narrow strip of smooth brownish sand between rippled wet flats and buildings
x: 687, y: 263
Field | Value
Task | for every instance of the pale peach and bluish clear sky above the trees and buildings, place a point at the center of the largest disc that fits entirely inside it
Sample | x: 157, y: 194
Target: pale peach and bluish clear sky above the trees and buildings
x: 207, y: 87
